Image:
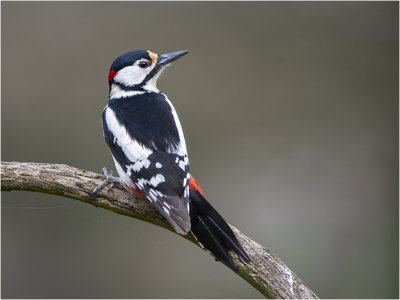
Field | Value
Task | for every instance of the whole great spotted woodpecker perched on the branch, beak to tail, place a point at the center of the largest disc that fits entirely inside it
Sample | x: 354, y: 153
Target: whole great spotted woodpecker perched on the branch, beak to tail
x: 145, y: 136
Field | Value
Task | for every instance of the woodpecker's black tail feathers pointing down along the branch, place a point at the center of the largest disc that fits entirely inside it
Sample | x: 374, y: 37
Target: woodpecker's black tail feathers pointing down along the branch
x: 212, y: 231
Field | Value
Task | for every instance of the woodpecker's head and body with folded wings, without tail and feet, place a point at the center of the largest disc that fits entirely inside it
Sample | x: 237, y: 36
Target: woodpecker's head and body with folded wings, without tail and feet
x: 145, y: 136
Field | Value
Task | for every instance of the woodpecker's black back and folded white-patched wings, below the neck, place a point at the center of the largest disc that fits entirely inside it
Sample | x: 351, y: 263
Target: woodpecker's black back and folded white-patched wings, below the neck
x: 150, y: 157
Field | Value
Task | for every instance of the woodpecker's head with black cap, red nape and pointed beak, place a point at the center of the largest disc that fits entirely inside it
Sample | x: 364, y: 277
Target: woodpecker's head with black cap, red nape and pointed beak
x: 139, y: 69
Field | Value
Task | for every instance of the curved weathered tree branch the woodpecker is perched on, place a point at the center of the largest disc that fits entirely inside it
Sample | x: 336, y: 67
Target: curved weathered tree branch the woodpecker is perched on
x: 266, y: 272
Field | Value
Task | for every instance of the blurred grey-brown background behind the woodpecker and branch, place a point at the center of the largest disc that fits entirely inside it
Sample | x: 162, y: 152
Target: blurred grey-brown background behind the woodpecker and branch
x: 290, y: 112
